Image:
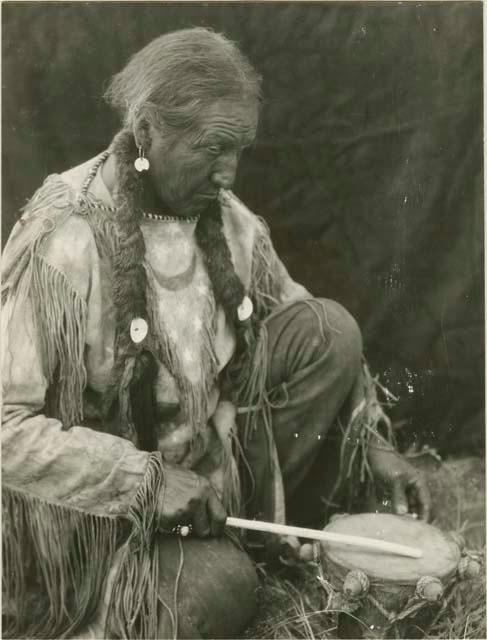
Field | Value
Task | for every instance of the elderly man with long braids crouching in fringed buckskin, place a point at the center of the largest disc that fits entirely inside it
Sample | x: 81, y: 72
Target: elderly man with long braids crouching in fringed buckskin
x: 162, y: 369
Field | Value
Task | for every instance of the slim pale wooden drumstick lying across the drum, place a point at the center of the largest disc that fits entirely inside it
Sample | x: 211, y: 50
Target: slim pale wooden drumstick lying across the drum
x: 327, y: 536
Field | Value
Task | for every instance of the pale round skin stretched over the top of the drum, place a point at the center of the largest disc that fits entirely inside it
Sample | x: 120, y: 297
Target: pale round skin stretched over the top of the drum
x: 440, y: 553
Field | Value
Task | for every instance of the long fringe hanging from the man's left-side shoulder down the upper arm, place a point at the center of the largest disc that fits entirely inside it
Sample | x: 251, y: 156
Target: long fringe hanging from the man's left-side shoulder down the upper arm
x: 59, y: 312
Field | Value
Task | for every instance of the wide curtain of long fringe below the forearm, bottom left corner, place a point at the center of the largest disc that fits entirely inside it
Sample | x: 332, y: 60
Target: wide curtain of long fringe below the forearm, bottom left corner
x: 55, y: 560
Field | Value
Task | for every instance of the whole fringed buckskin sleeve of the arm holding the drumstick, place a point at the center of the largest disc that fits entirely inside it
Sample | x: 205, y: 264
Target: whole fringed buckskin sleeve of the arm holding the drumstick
x: 70, y: 497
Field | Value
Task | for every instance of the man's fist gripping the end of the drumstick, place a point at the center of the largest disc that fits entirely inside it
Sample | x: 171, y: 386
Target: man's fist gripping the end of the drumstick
x: 188, y: 499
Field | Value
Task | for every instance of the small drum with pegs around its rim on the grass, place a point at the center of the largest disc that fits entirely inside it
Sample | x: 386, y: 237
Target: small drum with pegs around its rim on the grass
x: 381, y: 594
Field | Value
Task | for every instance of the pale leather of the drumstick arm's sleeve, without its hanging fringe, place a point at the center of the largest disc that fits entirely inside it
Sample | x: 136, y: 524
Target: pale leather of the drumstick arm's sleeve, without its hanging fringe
x: 78, y: 467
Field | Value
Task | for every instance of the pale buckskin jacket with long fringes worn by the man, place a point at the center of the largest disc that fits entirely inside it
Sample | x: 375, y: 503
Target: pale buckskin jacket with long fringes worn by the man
x: 68, y: 482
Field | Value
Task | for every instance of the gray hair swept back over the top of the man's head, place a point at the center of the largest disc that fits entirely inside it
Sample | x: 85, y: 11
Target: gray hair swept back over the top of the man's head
x: 170, y: 79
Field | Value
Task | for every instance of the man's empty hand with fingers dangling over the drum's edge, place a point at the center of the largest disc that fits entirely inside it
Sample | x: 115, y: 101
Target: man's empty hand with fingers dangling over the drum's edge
x: 405, y: 484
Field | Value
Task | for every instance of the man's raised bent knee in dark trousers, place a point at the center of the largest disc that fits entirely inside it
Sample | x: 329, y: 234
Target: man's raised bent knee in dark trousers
x: 315, y: 357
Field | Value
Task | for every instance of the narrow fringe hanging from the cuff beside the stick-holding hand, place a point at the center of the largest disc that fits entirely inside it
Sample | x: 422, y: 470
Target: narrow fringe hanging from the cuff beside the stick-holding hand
x: 133, y: 604
